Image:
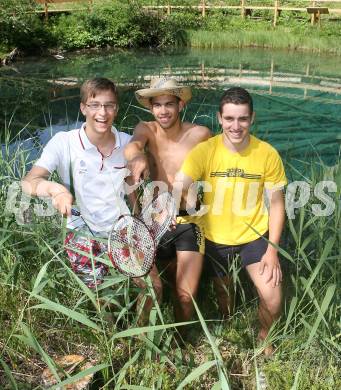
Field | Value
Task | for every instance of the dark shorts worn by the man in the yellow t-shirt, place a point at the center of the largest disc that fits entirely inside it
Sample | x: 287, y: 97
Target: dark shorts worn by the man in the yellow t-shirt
x: 218, y: 256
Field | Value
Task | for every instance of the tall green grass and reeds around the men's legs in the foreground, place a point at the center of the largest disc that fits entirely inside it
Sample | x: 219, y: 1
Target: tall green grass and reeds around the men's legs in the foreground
x: 46, y: 311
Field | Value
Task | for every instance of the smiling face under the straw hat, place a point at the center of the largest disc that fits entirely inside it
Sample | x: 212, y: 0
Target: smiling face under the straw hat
x: 166, y: 110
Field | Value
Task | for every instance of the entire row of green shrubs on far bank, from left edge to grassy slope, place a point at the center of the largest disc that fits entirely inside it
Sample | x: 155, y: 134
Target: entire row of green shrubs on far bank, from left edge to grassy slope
x: 115, y: 24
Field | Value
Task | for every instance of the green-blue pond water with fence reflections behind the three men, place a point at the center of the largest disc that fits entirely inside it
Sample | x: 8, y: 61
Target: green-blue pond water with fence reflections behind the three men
x: 297, y: 96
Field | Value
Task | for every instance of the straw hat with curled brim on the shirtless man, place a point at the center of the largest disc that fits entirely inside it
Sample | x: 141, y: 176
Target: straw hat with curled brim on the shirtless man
x: 162, y: 86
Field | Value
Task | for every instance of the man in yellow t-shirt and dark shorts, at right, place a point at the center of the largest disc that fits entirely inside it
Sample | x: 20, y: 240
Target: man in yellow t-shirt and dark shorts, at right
x: 238, y: 172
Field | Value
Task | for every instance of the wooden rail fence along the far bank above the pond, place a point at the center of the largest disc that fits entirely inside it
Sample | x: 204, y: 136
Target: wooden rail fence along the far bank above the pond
x: 313, y: 7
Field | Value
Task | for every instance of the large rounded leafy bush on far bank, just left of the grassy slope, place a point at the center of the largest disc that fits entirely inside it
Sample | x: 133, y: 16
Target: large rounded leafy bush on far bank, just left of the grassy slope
x: 116, y: 25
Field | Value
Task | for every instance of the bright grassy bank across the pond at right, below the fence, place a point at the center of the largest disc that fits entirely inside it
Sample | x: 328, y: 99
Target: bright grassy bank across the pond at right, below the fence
x: 226, y: 28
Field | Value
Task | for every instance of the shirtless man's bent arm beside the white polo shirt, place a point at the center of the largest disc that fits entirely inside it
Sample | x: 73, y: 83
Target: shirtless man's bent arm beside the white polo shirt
x: 134, y: 153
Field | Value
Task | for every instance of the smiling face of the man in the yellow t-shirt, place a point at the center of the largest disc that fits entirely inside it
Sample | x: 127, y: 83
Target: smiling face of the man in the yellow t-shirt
x: 236, y: 120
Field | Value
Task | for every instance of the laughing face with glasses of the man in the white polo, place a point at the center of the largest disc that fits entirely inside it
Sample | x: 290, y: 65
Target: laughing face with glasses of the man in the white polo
x: 100, y: 112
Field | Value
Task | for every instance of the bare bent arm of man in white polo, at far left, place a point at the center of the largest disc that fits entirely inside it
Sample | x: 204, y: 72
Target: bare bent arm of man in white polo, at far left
x: 36, y: 183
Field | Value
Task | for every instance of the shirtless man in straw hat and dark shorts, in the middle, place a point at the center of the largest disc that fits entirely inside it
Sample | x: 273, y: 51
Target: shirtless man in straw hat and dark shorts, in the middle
x: 158, y: 148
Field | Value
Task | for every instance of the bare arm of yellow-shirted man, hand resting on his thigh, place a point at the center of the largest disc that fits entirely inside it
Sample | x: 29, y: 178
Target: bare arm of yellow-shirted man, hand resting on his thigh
x: 269, y: 263
